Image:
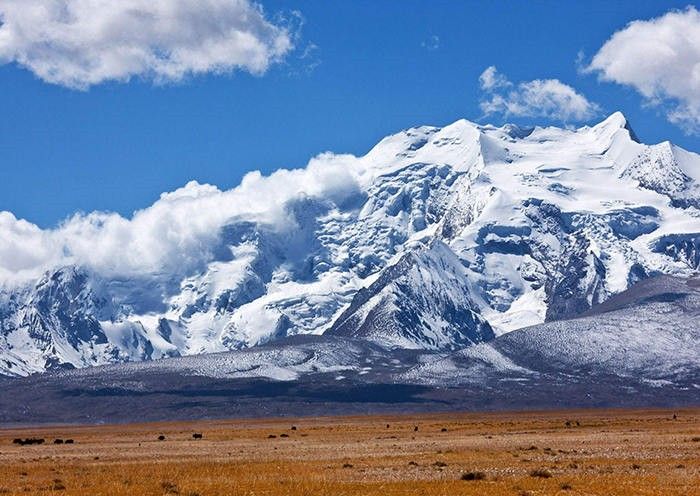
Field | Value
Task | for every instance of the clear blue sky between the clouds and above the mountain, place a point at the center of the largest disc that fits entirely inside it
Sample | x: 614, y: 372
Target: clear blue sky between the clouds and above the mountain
x: 377, y: 67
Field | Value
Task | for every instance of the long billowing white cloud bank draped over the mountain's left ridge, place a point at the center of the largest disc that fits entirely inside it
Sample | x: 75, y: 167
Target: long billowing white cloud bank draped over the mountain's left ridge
x: 177, y: 233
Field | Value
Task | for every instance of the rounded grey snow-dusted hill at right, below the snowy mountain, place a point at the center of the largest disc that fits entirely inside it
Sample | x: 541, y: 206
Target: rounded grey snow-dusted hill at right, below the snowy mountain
x: 648, y: 334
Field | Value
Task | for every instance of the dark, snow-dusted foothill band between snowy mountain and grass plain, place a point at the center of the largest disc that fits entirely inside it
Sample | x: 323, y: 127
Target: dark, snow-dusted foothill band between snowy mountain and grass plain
x: 641, y: 348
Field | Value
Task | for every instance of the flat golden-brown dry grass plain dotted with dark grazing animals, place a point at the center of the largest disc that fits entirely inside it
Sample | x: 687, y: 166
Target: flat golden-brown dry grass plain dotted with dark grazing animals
x: 598, y: 453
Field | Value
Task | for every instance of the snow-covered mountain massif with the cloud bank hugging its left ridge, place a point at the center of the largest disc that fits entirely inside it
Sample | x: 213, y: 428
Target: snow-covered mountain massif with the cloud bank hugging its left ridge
x: 437, y: 238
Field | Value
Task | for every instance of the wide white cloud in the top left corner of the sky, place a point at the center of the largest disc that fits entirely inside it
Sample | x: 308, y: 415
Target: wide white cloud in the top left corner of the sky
x: 80, y: 43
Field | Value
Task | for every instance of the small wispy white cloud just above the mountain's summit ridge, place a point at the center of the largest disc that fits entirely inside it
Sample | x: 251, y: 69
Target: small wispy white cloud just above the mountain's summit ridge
x: 548, y: 98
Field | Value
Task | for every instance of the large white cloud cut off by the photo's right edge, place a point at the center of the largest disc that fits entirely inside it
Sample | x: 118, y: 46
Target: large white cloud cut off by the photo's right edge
x: 660, y: 58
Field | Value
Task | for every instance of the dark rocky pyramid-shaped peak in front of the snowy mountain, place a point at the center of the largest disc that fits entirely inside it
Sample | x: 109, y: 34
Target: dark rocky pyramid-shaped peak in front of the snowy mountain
x: 422, y: 301
